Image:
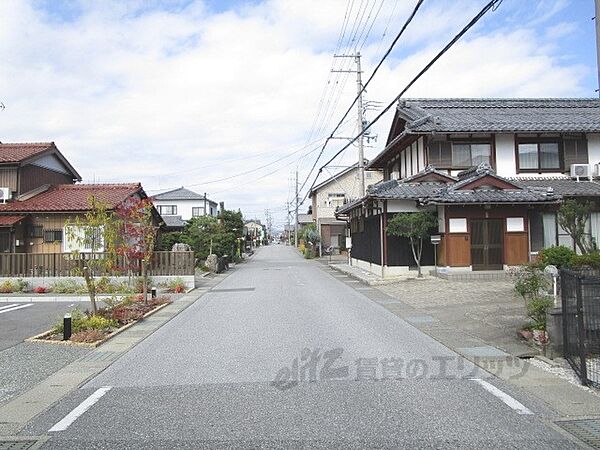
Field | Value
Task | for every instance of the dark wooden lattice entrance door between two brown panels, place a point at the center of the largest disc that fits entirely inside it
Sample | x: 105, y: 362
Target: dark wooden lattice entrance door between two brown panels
x: 487, y: 246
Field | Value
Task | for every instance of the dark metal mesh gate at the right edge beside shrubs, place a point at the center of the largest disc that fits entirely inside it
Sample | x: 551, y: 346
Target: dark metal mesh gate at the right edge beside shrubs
x: 580, y: 292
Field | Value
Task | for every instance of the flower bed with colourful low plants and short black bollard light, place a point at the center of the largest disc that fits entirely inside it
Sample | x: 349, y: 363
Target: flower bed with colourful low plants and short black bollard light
x: 92, y: 329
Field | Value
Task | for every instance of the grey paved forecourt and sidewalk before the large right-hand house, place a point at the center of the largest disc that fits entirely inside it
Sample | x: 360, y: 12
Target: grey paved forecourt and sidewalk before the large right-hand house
x: 479, y: 320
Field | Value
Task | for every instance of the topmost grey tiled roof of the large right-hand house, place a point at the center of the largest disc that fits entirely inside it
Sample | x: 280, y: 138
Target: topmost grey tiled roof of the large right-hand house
x: 500, y: 115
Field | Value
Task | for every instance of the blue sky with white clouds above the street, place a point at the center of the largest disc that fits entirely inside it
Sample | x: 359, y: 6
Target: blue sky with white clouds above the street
x: 189, y: 92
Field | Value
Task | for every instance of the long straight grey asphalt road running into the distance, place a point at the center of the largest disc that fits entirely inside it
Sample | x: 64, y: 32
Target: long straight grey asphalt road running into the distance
x: 285, y: 354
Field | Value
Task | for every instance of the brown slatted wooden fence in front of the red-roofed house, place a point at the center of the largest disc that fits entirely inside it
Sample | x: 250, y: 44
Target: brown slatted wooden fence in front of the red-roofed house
x: 66, y: 265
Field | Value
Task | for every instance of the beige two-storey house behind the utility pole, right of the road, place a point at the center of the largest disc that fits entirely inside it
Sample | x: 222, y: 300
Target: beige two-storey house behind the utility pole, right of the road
x: 331, y: 194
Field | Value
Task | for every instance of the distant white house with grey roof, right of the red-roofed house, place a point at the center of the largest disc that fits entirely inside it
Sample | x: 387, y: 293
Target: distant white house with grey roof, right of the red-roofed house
x: 179, y: 205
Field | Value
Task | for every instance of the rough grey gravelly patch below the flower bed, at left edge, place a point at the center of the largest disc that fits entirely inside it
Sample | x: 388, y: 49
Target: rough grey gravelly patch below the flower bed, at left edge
x: 24, y: 365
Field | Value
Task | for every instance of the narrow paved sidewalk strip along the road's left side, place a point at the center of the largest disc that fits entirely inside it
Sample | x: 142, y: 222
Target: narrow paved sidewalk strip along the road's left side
x: 19, y: 410
